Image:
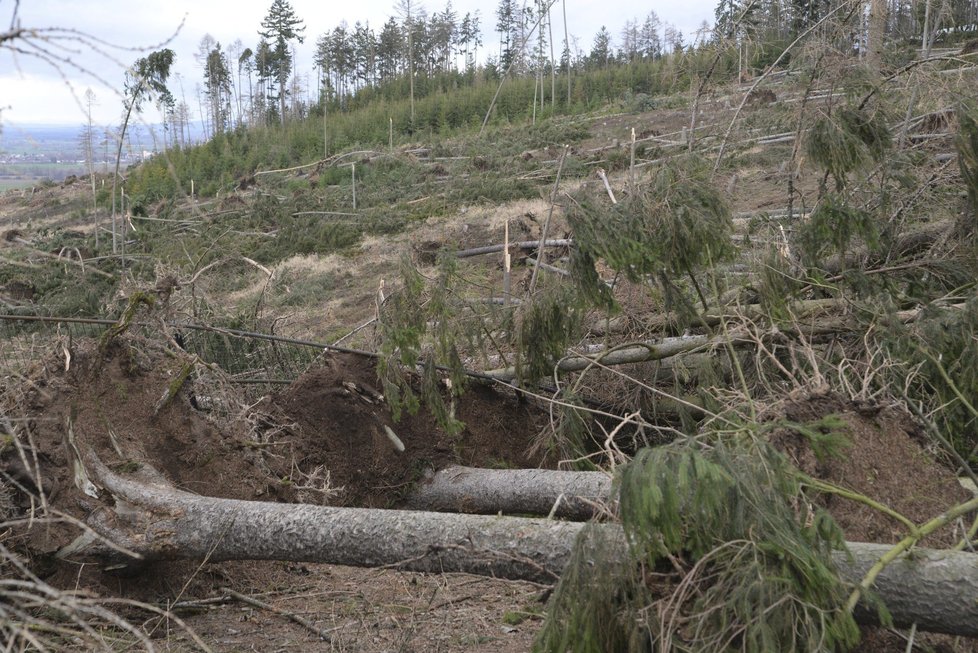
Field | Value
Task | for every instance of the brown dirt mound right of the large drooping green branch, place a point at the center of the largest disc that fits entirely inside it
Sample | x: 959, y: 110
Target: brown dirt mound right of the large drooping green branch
x: 885, y: 460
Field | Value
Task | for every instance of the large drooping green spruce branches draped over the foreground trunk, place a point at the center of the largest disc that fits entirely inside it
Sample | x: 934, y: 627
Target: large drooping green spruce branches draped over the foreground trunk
x: 757, y: 571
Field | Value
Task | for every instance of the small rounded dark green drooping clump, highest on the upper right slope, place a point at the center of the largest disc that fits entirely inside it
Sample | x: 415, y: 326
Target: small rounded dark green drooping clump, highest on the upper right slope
x: 846, y: 141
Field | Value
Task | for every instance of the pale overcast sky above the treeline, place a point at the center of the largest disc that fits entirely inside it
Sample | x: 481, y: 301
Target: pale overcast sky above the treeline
x: 32, y: 92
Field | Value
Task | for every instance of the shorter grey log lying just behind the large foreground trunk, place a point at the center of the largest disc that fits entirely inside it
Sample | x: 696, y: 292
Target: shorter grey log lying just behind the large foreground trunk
x: 569, y: 495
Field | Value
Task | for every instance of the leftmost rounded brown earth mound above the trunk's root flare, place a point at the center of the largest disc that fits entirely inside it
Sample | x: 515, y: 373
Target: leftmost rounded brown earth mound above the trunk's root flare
x: 114, y: 401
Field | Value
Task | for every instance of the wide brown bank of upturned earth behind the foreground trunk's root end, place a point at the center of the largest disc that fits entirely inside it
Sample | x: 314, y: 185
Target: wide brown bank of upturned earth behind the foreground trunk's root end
x: 323, y: 440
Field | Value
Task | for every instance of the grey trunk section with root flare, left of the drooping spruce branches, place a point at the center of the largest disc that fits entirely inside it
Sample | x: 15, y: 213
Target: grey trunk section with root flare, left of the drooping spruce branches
x: 158, y: 522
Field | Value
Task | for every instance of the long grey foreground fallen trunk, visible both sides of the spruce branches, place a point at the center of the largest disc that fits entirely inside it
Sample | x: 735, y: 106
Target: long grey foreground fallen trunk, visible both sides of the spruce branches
x: 937, y: 590
